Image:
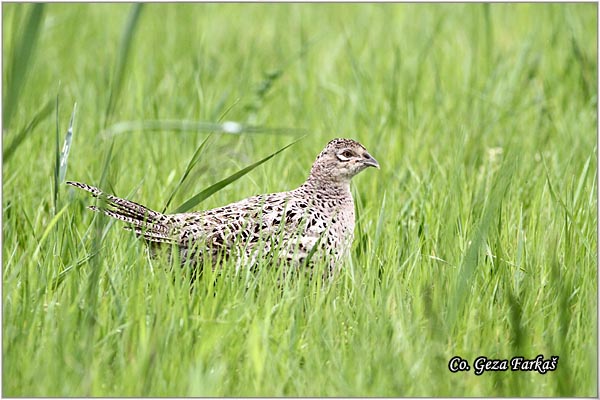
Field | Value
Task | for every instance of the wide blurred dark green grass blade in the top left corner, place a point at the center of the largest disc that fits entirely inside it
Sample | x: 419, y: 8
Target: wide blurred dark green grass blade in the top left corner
x: 23, y: 52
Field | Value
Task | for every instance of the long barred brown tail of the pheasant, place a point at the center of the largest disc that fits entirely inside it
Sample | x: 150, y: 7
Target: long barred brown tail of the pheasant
x: 151, y: 225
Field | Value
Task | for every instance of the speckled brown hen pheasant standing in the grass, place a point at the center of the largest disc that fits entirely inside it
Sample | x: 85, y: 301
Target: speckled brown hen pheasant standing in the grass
x: 309, y: 224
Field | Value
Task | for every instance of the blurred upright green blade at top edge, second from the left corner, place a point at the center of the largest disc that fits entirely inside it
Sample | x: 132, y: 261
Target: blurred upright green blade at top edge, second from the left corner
x: 122, y: 58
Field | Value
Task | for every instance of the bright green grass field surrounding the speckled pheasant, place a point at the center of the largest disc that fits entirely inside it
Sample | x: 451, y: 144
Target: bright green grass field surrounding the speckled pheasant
x: 476, y: 238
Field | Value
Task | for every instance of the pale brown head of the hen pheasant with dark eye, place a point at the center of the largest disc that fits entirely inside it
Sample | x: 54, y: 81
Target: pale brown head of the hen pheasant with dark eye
x: 341, y: 160
